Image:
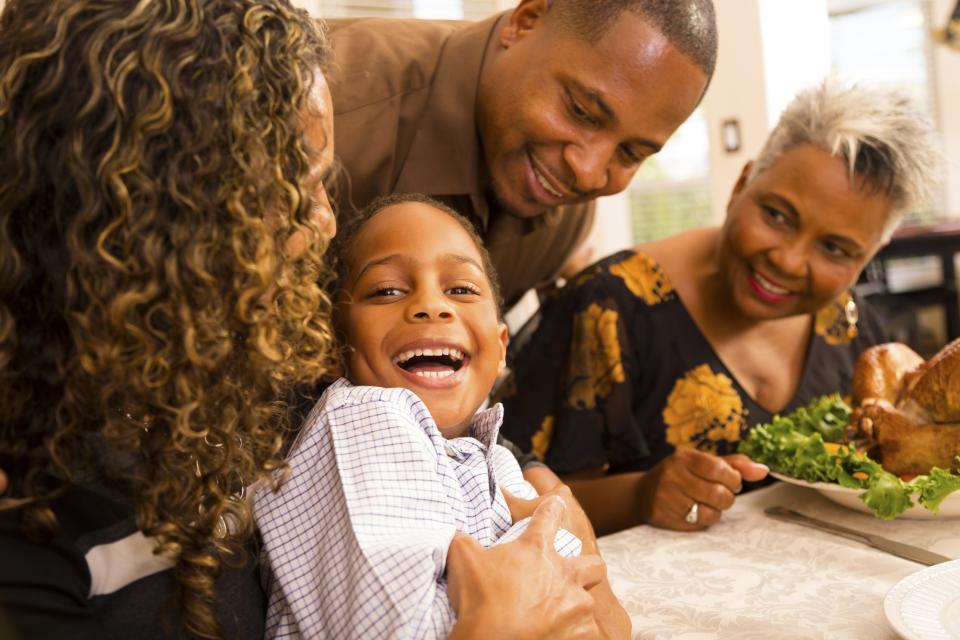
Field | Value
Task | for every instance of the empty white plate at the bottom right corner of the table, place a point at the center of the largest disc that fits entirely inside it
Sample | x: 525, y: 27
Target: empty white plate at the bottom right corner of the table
x: 926, y: 605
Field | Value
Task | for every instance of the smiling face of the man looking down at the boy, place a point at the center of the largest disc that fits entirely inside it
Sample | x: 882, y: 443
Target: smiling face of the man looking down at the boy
x: 563, y: 120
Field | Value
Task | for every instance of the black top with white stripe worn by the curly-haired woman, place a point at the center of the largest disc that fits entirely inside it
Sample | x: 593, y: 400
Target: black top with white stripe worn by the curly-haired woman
x: 98, y: 576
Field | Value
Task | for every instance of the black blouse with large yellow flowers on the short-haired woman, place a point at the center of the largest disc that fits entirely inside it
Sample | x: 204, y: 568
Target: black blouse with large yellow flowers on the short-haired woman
x: 617, y: 375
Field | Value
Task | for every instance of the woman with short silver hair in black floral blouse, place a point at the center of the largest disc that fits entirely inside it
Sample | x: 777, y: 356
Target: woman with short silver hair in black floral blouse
x: 649, y: 366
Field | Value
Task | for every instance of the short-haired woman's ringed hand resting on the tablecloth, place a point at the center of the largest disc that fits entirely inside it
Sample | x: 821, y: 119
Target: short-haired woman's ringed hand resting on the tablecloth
x: 670, y: 489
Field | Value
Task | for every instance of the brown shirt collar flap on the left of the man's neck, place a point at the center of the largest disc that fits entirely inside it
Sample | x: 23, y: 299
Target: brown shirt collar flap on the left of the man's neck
x: 446, y: 157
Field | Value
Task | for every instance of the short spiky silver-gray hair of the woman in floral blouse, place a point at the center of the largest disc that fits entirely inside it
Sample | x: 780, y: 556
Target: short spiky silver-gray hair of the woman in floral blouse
x: 887, y: 142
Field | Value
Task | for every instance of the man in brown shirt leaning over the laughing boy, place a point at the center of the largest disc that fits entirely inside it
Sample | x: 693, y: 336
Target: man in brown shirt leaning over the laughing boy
x: 520, y: 121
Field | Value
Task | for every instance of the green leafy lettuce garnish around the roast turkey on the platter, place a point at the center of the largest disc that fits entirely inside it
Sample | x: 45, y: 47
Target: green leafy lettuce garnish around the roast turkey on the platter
x: 794, y: 445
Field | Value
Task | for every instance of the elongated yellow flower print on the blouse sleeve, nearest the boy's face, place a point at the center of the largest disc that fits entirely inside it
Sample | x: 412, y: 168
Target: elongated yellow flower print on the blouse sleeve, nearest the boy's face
x: 595, y: 364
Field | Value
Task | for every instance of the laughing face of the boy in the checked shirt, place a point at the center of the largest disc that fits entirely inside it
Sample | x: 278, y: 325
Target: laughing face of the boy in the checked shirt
x: 419, y: 313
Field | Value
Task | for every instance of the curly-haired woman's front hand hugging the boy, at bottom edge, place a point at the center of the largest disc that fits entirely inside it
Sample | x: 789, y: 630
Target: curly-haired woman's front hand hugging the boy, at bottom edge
x: 524, y: 588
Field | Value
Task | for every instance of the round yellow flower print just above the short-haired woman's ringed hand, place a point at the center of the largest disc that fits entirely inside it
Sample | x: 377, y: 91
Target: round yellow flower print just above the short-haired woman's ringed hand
x: 703, y: 410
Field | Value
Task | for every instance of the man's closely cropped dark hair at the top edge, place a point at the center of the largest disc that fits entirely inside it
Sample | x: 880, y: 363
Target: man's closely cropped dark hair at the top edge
x: 690, y: 25
